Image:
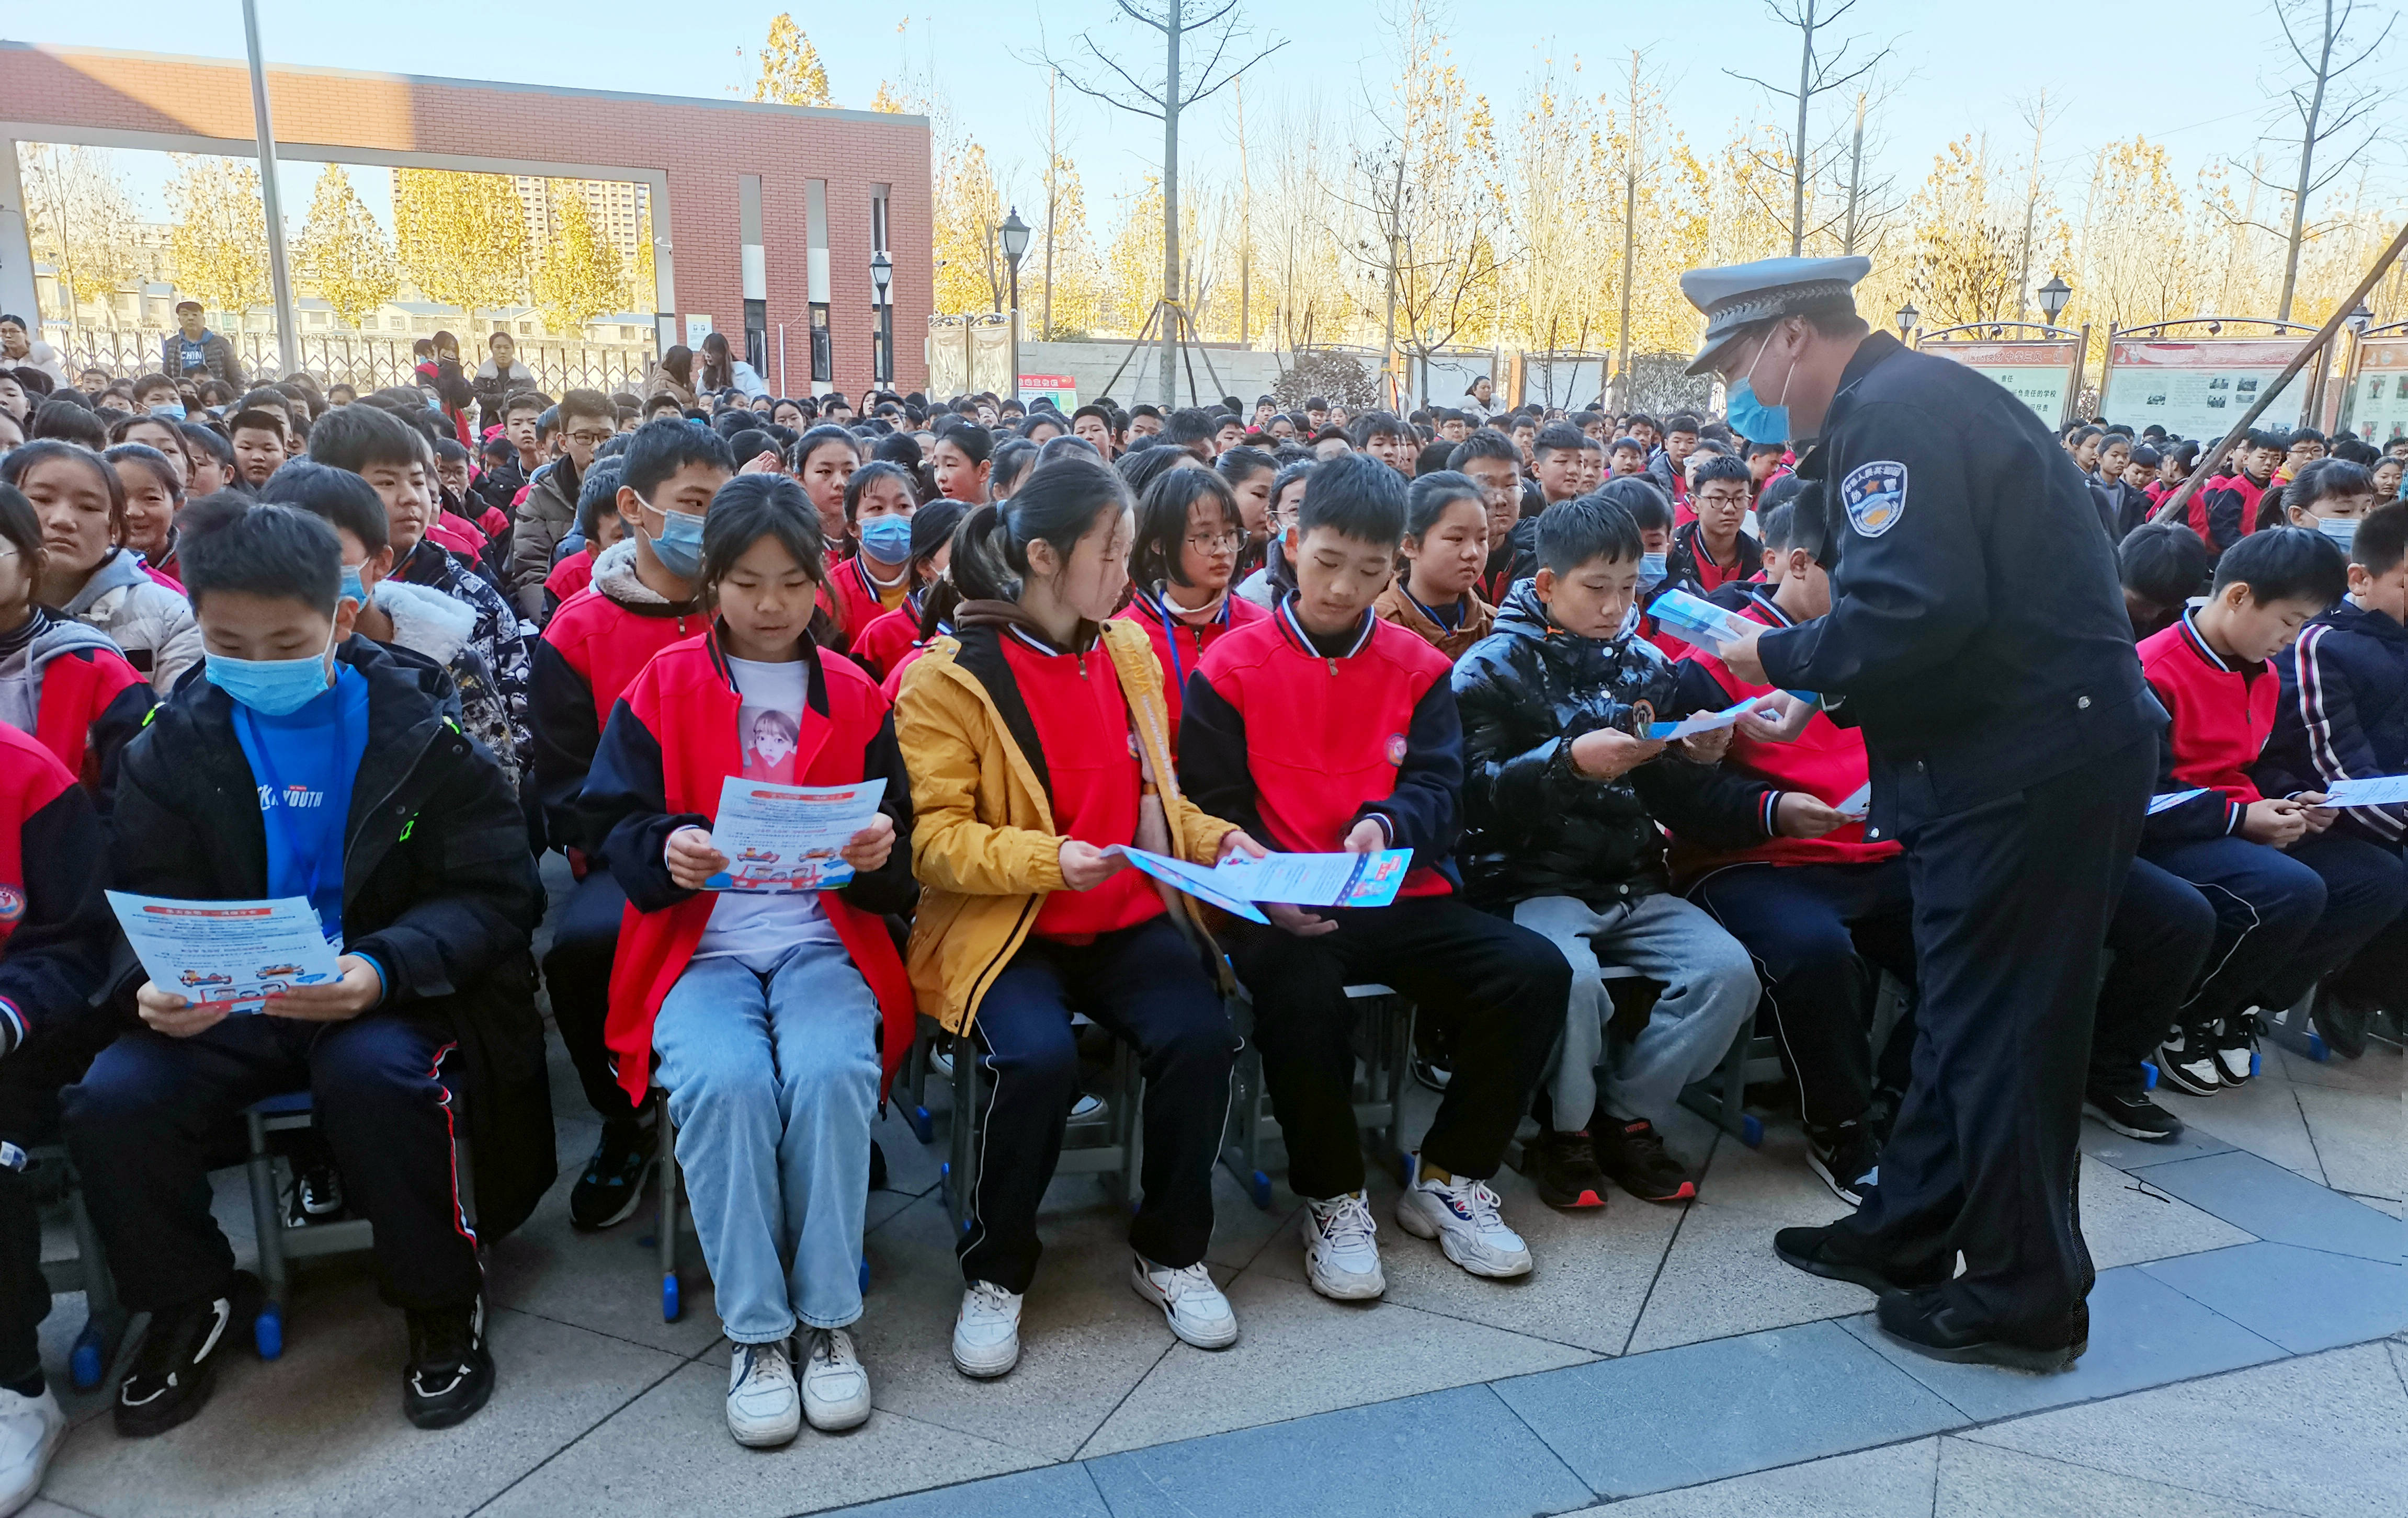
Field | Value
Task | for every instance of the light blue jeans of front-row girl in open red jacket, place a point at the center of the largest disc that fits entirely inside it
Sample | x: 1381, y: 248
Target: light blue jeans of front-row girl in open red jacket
x: 774, y: 1081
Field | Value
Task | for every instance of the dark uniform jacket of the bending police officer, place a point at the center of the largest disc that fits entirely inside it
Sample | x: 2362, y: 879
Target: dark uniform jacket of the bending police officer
x: 1978, y: 639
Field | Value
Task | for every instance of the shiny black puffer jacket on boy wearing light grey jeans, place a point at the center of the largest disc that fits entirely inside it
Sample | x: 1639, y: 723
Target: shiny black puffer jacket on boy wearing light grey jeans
x: 1533, y: 826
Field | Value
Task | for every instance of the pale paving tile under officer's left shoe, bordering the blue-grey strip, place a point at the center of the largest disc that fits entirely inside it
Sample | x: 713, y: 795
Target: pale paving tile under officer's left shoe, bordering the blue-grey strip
x: 1721, y: 1276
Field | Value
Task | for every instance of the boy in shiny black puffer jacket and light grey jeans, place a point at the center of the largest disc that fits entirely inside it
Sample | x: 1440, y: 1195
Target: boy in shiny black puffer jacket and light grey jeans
x: 1562, y: 800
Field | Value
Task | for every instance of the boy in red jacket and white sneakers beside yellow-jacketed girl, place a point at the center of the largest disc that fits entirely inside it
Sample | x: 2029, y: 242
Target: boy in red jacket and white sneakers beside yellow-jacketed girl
x: 1328, y: 730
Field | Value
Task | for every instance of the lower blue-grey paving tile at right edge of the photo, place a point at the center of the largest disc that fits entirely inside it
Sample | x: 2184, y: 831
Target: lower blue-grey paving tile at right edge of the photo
x: 2298, y: 1298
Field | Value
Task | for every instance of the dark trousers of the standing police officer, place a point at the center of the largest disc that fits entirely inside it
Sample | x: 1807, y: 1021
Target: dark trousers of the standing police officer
x: 2012, y: 906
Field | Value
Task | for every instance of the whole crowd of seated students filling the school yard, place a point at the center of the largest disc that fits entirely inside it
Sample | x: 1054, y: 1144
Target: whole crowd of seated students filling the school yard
x: 1053, y: 641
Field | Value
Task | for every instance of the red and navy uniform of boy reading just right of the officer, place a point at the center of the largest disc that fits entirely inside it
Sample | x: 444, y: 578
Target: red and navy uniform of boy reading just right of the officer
x: 2284, y: 915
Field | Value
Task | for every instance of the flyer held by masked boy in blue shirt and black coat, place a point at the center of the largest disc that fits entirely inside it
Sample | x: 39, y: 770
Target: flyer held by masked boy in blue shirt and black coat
x: 220, y: 954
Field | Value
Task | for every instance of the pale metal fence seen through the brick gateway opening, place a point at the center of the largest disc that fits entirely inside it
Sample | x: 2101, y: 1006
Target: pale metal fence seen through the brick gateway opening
x: 358, y: 362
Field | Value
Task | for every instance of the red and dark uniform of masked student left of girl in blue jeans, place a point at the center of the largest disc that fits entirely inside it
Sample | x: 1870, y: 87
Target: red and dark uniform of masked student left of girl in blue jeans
x: 591, y: 653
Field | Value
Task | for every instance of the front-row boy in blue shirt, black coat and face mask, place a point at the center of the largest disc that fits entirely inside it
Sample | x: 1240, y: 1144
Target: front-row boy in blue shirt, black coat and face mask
x: 314, y: 764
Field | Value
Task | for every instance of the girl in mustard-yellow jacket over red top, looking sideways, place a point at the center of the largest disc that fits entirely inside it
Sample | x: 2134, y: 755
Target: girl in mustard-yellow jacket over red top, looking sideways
x: 1037, y: 742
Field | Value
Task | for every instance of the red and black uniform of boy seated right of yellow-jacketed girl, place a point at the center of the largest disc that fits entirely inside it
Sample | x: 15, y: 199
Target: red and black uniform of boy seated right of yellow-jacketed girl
x: 1297, y: 740
